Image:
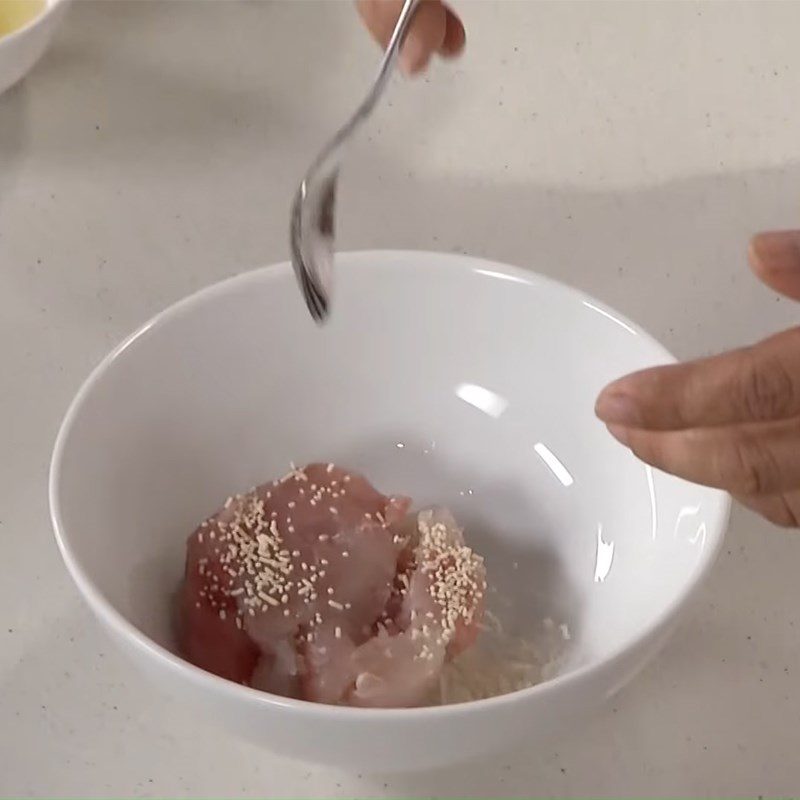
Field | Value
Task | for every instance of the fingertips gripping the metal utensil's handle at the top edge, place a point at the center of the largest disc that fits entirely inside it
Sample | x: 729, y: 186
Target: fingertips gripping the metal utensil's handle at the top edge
x: 434, y: 29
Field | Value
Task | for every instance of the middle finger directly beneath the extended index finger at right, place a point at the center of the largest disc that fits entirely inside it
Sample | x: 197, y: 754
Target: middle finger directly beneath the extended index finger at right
x: 749, y: 460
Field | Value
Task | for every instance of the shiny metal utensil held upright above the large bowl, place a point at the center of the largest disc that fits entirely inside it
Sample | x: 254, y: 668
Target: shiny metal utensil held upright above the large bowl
x: 312, y: 222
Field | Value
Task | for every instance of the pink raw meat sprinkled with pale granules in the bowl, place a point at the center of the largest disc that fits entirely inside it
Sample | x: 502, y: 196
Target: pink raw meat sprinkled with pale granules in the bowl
x: 319, y: 587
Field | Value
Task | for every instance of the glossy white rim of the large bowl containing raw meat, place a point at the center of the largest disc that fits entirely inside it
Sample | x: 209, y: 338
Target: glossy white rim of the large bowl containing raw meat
x: 117, y: 622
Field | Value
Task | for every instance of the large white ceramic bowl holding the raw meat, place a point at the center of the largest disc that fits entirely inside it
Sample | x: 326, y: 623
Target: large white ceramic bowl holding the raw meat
x: 455, y: 380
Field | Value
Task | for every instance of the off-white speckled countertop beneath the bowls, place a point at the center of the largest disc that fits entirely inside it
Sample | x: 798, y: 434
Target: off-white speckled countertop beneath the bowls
x: 626, y: 149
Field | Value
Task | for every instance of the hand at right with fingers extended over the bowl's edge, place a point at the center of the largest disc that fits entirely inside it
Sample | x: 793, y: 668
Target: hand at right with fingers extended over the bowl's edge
x: 731, y: 421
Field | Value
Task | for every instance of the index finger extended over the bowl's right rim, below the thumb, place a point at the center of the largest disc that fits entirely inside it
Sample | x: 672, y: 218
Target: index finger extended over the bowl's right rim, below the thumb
x: 754, y: 384
